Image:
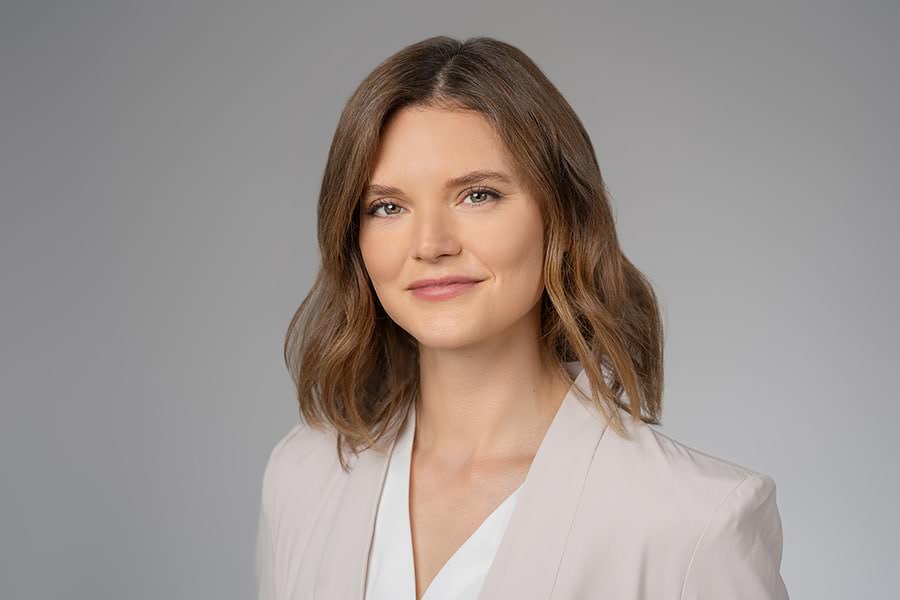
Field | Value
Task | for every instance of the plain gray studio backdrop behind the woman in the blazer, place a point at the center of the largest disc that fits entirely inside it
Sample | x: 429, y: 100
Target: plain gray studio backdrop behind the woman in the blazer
x: 159, y: 170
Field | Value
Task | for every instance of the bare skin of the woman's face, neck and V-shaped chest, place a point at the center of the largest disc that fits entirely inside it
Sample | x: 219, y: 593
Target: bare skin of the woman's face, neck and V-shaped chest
x: 486, y: 400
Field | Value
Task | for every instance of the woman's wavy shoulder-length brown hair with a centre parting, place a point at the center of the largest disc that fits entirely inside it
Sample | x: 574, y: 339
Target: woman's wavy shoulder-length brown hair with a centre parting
x: 354, y: 368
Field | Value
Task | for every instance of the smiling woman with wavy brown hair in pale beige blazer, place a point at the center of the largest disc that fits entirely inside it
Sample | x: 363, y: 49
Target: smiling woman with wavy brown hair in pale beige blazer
x: 478, y: 368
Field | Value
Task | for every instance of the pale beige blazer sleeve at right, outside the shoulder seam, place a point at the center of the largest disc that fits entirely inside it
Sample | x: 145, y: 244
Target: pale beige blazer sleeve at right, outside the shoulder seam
x: 738, y: 555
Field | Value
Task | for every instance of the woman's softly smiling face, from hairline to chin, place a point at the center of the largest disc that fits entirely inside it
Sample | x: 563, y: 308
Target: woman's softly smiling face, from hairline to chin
x: 427, y: 227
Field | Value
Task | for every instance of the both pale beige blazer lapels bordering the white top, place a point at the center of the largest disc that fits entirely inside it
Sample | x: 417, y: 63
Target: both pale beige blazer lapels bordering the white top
x: 522, y: 568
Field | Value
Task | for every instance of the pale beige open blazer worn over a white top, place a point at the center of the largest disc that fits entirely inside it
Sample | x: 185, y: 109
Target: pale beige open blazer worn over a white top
x: 598, y: 517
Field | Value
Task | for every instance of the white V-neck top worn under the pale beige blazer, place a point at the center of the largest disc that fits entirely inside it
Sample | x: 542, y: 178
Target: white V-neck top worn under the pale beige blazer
x: 391, y: 574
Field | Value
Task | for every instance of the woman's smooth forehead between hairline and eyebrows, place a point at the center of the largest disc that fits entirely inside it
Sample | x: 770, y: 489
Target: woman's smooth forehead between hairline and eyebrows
x: 436, y: 142
